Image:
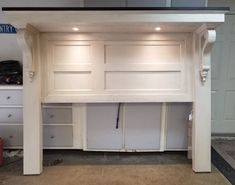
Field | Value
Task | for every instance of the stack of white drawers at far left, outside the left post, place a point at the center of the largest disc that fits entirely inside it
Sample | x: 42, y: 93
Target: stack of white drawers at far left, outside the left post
x: 11, y: 116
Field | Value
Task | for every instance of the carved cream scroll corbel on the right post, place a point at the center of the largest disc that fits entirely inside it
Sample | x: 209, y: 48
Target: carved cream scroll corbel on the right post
x: 208, y: 40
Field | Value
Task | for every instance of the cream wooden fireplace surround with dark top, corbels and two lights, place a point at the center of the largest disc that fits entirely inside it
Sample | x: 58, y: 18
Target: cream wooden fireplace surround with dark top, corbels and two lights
x: 116, y: 56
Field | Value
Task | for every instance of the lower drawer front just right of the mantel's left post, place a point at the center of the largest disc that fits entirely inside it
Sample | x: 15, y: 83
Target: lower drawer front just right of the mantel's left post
x: 58, y: 136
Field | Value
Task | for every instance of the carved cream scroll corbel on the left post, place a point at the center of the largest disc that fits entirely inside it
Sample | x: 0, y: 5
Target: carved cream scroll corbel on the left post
x: 26, y: 40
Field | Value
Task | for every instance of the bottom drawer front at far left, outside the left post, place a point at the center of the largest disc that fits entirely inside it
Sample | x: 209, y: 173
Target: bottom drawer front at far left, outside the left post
x: 12, y: 135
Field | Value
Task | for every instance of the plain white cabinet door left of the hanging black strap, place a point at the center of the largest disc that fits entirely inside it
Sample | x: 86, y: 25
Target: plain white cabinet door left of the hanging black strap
x: 101, y: 127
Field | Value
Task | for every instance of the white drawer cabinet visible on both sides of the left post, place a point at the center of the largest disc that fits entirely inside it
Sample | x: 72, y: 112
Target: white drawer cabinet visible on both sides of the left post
x: 58, y: 126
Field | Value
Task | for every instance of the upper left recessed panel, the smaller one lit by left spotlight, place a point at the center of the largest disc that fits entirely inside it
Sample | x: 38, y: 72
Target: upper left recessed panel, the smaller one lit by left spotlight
x: 71, y: 54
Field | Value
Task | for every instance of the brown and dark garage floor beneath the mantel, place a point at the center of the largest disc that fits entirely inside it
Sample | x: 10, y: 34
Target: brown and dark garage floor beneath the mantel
x: 88, y: 168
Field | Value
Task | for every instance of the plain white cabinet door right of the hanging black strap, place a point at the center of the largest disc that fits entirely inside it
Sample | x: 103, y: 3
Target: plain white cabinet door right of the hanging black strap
x: 142, y: 126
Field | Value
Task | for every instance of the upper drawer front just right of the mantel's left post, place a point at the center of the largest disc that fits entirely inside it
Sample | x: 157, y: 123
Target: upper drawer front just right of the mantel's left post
x: 57, y: 115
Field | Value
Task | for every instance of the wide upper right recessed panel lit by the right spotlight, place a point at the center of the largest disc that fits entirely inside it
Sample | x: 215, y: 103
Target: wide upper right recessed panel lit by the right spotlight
x: 146, y: 52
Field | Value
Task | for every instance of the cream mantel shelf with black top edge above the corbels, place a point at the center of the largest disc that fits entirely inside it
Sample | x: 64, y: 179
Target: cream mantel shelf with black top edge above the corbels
x: 61, y: 19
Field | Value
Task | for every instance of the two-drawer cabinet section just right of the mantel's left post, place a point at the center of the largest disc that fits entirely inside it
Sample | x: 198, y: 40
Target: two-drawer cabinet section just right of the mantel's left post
x: 58, y: 126
